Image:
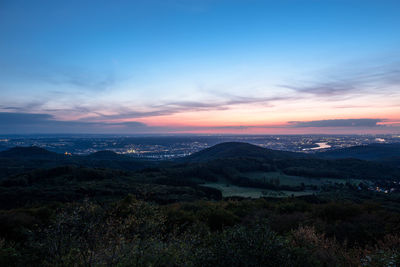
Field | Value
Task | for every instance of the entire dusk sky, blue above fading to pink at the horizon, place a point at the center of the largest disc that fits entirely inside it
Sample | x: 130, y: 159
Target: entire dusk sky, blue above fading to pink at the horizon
x: 200, y: 67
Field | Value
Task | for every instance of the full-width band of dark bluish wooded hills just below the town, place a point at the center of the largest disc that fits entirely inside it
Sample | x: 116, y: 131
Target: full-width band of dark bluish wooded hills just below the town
x: 344, y: 163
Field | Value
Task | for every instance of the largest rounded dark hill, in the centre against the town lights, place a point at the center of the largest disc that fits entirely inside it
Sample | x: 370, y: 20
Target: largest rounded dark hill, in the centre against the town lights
x: 239, y: 150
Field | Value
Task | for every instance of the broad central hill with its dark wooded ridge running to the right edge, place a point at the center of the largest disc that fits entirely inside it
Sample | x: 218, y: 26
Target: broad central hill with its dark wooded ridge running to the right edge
x: 231, y: 160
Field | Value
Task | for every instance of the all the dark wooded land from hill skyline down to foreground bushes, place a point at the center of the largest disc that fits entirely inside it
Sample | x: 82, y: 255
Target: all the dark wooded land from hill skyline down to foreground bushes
x: 106, y: 209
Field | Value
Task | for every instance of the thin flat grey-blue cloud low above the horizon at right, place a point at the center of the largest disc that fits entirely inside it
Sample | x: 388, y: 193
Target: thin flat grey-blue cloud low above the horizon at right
x: 337, y: 123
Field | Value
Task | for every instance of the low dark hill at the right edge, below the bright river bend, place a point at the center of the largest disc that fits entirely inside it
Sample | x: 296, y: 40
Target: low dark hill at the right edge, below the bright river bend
x: 368, y: 152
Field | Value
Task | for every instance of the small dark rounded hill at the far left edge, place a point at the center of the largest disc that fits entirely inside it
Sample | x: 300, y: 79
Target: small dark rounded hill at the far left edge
x: 28, y: 152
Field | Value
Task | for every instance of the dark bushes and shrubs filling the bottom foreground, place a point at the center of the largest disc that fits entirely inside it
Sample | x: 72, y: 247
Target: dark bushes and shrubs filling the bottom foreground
x: 131, y: 232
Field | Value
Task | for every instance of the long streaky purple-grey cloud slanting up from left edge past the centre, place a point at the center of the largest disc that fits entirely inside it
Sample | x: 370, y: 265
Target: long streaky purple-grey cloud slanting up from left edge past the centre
x: 128, y: 110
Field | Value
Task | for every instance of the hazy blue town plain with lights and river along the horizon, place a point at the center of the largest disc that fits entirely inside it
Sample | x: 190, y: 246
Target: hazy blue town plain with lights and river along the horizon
x: 164, y: 147
